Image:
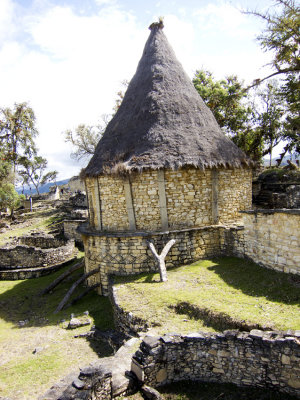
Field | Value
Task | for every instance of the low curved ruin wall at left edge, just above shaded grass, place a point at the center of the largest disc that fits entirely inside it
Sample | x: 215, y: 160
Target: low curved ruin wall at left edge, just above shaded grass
x: 36, y: 253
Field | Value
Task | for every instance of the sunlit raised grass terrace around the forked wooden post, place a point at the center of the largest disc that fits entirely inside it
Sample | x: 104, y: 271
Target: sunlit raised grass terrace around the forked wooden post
x: 224, y: 293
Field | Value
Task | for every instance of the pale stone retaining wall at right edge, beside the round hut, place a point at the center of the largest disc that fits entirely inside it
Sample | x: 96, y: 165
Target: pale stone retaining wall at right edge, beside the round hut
x: 272, y: 239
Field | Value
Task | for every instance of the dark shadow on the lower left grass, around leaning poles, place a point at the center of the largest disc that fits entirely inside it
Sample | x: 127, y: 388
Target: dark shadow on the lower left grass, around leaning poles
x: 22, y: 301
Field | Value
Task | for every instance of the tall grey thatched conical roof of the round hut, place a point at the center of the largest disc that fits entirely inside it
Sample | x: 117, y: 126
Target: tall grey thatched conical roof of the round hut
x: 162, y: 121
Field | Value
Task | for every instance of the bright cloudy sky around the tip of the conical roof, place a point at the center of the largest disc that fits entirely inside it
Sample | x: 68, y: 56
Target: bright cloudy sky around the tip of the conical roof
x: 68, y: 58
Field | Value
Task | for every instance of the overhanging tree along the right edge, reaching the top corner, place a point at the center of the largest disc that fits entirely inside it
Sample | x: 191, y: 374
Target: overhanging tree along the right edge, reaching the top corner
x: 281, y: 37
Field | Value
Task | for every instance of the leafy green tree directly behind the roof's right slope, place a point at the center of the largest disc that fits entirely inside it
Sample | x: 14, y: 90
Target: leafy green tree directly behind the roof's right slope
x: 253, y: 120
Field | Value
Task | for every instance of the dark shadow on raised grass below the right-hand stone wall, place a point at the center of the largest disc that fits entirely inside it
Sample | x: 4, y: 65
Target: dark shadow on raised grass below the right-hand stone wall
x: 256, y: 281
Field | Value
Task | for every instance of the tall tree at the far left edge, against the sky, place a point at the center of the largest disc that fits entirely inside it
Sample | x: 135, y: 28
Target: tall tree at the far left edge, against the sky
x: 17, y: 132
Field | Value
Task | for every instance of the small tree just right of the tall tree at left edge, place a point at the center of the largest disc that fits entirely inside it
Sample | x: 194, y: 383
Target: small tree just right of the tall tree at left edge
x: 33, y: 171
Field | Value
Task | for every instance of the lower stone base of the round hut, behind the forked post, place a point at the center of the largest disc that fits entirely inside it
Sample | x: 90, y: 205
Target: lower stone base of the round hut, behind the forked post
x: 127, y: 253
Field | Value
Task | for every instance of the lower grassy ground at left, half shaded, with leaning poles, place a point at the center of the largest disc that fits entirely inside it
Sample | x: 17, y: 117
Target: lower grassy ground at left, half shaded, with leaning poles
x: 25, y: 374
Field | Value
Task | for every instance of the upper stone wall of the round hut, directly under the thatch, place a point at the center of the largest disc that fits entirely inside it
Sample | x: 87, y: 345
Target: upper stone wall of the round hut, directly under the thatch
x: 188, y: 198
